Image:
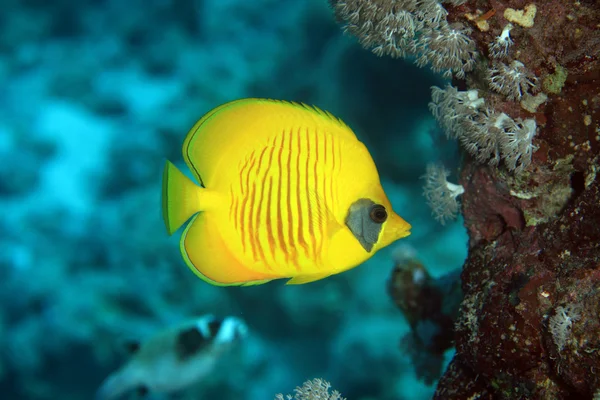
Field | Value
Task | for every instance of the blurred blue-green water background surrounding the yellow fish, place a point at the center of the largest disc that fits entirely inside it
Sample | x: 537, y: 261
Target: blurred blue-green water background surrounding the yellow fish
x: 95, y: 95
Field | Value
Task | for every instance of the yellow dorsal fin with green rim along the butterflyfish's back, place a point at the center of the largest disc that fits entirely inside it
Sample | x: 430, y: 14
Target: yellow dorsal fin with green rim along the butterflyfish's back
x: 226, y: 135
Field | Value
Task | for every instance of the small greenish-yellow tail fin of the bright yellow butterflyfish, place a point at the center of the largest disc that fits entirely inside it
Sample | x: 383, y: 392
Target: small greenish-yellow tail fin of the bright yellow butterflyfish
x: 180, y: 198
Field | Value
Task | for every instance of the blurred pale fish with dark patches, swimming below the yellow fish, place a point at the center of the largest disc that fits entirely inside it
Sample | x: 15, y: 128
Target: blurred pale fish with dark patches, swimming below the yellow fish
x: 175, y: 359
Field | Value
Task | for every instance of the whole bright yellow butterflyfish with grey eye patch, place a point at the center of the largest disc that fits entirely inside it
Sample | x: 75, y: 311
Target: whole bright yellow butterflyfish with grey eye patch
x: 287, y: 191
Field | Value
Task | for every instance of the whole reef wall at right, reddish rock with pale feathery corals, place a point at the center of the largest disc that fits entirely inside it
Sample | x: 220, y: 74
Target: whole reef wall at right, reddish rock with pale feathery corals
x: 525, y: 108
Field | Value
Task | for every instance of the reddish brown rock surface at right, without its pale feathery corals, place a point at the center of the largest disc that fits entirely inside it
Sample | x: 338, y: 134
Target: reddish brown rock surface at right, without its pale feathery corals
x: 529, y: 326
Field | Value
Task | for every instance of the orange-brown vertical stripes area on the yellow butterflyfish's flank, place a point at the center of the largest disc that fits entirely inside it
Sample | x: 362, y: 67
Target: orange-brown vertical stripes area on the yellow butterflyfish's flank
x: 282, y: 201
